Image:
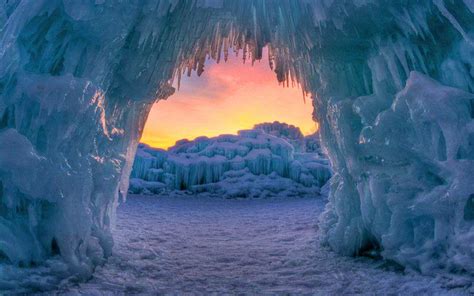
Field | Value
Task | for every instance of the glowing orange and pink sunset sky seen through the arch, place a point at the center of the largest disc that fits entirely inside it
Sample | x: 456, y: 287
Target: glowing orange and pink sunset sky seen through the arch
x: 226, y: 98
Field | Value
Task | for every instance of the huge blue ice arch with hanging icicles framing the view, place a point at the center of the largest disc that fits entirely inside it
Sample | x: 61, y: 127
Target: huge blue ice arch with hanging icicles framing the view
x: 78, y: 77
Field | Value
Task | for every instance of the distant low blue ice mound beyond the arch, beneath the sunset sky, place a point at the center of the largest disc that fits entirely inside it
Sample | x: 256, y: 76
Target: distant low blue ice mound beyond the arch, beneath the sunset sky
x: 253, y: 163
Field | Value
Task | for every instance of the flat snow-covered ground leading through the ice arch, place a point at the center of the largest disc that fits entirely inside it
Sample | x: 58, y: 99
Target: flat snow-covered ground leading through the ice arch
x: 199, y: 246
